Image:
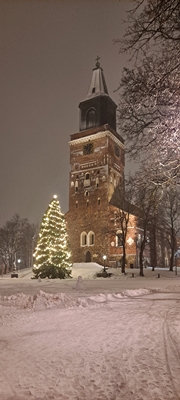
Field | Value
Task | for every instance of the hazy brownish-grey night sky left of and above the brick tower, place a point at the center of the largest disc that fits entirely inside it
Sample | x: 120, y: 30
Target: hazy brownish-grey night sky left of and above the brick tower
x: 48, y: 51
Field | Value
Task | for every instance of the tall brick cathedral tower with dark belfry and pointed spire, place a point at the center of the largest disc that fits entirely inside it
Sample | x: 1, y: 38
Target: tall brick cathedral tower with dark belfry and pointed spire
x: 96, y: 168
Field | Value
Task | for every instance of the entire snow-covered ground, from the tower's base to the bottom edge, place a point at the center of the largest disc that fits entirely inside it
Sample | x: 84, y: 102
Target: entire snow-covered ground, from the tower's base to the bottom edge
x: 90, y: 339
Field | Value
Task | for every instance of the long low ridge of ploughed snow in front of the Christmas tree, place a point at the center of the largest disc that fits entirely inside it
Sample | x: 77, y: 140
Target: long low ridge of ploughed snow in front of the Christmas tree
x: 42, y: 300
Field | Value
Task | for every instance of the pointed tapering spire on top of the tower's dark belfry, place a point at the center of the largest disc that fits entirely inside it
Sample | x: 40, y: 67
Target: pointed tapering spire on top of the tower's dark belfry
x: 98, y: 84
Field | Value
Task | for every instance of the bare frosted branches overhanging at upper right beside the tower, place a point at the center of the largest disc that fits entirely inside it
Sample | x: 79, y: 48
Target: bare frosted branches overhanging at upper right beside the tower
x: 149, y: 91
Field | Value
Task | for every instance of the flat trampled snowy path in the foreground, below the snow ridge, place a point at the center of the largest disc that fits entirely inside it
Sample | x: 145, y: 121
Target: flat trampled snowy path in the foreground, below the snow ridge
x: 120, y: 348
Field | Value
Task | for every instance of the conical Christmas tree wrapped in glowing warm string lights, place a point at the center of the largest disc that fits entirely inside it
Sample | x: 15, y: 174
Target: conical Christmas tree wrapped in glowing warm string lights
x: 52, y: 255
